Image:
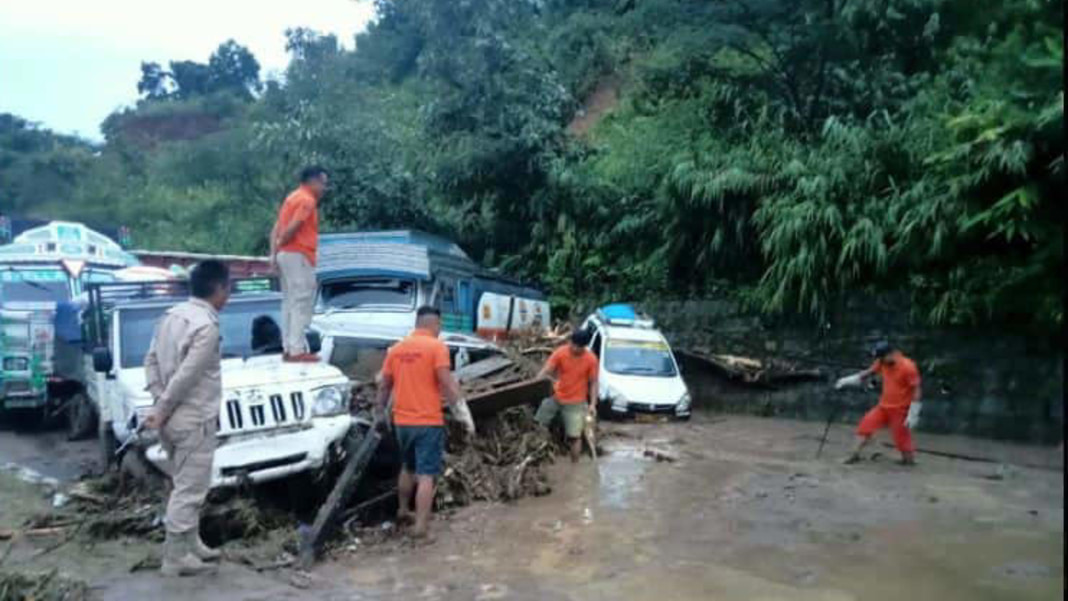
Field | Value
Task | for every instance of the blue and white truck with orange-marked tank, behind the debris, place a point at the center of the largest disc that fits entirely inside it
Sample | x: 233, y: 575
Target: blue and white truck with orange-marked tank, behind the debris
x: 372, y: 283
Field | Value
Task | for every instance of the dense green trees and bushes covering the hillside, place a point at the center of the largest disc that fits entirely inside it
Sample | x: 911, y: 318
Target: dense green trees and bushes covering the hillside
x: 784, y: 151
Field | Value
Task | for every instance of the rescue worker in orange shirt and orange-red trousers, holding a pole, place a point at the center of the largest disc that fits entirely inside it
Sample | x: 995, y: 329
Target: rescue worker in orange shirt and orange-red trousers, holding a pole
x: 900, y: 404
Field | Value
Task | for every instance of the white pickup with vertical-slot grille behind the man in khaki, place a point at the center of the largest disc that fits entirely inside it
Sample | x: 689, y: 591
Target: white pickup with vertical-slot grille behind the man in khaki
x: 276, y: 419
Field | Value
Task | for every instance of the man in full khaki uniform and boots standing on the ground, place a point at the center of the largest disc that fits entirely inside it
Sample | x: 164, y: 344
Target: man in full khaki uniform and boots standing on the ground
x: 182, y: 370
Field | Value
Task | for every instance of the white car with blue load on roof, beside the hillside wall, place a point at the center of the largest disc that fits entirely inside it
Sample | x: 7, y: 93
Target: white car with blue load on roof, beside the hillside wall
x: 639, y: 375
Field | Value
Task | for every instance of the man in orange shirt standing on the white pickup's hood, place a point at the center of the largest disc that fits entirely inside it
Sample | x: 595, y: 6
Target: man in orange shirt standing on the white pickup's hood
x: 294, y: 244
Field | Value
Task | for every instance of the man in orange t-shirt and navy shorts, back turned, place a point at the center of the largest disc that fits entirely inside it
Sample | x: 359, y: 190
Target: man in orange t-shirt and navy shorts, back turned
x: 417, y: 373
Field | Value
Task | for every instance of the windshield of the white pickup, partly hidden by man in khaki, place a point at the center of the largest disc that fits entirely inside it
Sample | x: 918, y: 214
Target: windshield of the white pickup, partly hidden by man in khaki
x: 237, y: 325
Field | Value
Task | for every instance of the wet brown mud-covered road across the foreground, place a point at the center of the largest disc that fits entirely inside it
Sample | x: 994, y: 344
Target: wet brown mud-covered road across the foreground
x: 737, y: 509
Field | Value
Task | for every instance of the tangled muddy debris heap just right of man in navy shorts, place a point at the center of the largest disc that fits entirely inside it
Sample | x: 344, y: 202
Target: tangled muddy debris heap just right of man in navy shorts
x: 504, y: 463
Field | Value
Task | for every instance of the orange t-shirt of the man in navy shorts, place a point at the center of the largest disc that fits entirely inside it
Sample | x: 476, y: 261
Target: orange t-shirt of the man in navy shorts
x: 414, y: 366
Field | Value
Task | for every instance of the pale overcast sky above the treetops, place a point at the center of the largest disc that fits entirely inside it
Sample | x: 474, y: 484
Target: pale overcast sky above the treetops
x: 69, y: 64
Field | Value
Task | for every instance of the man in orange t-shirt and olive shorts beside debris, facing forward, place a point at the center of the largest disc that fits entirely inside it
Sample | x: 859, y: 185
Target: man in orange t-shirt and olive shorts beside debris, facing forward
x: 575, y: 390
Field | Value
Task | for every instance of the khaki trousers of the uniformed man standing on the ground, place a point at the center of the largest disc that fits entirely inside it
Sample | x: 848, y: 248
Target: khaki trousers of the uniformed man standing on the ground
x: 191, y: 452
